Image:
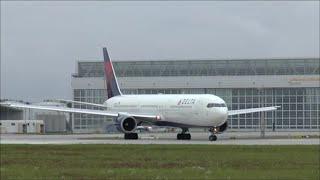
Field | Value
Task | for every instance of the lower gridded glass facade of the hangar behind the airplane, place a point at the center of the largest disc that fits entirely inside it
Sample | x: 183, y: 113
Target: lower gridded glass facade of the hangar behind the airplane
x: 299, y: 106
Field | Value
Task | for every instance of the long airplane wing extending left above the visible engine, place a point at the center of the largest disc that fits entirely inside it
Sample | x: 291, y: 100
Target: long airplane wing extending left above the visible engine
x: 140, y: 117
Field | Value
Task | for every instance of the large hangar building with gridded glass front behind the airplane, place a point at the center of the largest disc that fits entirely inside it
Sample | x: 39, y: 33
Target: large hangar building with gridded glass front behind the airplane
x: 292, y: 83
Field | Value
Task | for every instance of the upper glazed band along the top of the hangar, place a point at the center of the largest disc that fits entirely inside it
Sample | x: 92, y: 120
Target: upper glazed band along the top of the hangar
x: 305, y: 66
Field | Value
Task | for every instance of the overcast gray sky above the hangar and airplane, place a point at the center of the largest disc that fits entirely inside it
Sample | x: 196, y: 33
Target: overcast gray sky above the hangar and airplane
x: 41, y: 41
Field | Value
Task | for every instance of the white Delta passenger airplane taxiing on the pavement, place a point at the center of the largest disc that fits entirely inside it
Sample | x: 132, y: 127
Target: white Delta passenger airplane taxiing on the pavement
x: 170, y: 110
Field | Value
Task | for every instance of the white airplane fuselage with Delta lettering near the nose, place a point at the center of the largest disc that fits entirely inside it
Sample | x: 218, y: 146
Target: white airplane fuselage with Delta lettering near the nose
x: 187, y: 109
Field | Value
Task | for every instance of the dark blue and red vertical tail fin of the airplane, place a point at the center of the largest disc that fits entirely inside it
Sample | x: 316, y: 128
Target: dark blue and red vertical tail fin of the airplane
x: 111, y: 80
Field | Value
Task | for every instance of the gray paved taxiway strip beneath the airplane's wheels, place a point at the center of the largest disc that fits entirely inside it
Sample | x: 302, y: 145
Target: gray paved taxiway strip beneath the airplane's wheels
x: 228, y: 138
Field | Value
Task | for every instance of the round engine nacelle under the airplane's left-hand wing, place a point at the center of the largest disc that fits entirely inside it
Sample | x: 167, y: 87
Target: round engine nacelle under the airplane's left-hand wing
x: 126, y: 124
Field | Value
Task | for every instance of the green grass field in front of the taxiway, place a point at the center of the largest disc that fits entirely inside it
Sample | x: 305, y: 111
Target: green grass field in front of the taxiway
x: 159, y: 162
